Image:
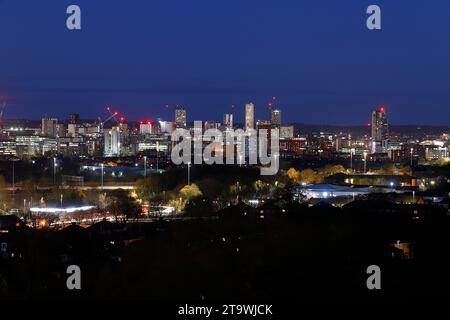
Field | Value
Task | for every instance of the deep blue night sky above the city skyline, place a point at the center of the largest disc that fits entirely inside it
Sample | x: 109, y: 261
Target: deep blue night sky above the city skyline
x: 316, y: 57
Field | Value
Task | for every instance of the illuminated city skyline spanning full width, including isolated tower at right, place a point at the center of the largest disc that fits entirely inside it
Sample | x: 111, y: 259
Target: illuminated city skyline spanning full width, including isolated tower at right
x: 93, y: 139
